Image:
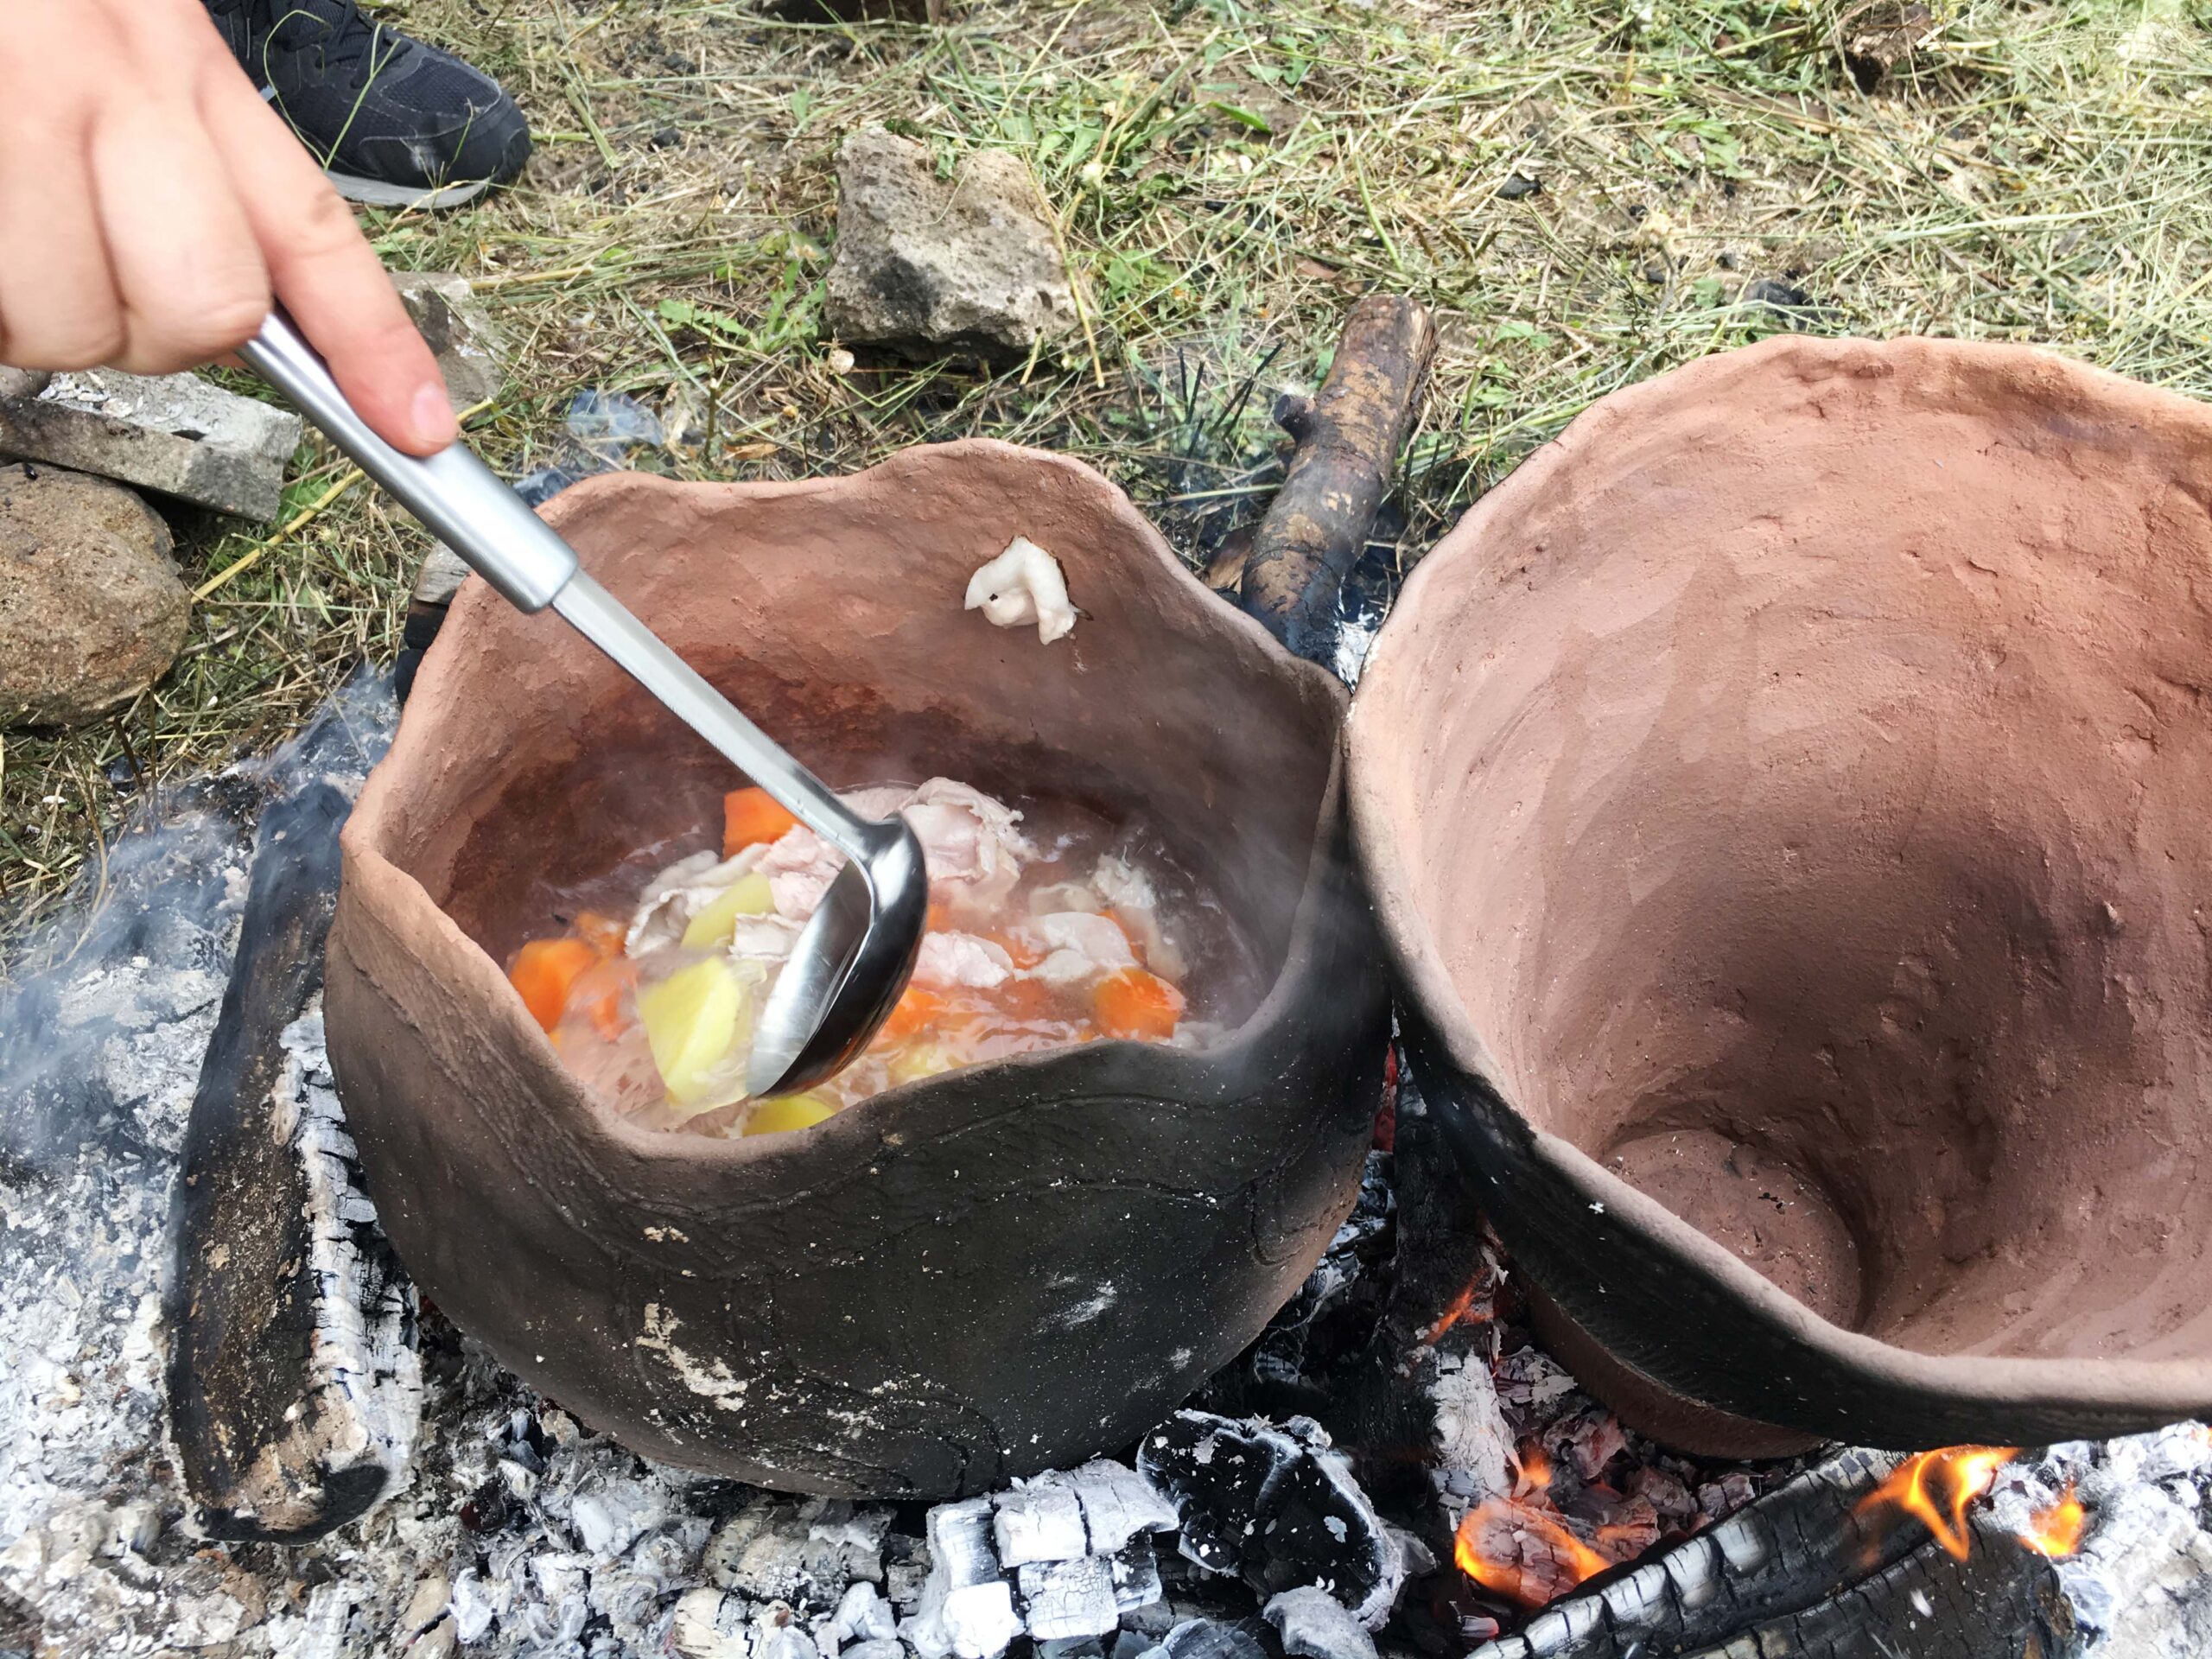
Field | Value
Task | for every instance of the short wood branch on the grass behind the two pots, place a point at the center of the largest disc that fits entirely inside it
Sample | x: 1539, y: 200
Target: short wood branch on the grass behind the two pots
x: 1348, y: 450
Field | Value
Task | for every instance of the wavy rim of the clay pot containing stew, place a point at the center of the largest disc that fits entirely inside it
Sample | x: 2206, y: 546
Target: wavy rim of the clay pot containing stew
x: 1178, y: 1072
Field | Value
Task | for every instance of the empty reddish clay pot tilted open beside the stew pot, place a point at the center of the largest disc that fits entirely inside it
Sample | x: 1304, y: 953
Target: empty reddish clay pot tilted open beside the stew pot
x: 1788, y: 800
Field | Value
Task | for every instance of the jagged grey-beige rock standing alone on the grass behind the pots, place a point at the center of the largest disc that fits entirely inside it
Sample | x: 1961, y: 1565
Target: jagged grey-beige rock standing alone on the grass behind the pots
x: 943, y: 267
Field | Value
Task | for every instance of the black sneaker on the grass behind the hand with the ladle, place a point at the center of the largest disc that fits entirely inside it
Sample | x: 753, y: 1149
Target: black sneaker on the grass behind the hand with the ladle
x: 395, y: 123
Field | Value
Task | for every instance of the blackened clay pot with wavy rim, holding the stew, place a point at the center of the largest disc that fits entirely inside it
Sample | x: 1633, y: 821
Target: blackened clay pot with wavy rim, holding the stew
x: 966, y: 1280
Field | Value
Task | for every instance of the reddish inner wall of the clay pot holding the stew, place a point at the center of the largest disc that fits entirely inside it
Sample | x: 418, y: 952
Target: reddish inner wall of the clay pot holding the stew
x: 842, y: 632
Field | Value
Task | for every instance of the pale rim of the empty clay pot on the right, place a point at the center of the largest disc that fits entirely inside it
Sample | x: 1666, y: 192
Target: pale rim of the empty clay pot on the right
x: 2125, y: 1386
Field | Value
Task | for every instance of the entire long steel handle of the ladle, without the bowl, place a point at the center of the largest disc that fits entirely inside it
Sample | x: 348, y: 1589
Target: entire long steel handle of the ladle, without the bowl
x: 519, y: 554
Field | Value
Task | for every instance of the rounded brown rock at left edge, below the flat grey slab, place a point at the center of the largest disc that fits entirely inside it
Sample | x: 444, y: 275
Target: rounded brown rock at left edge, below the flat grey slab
x: 92, y: 609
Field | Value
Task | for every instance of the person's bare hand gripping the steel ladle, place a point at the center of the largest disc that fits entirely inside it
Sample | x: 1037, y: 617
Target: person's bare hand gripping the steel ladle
x: 152, y: 205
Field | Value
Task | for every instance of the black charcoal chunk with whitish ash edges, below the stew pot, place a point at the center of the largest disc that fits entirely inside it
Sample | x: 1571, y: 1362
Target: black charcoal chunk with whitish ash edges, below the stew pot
x: 1277, y: 1507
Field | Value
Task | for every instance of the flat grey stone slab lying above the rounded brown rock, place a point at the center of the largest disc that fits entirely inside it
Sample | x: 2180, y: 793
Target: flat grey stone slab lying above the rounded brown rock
x: 174, y: 435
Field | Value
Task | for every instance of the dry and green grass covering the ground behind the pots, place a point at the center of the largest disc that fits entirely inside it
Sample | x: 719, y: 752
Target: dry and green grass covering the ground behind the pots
x: 1229, y: 178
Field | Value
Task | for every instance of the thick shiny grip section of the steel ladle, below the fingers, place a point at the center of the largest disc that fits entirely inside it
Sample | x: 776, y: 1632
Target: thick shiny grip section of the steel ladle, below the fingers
x: 463, y: 503
